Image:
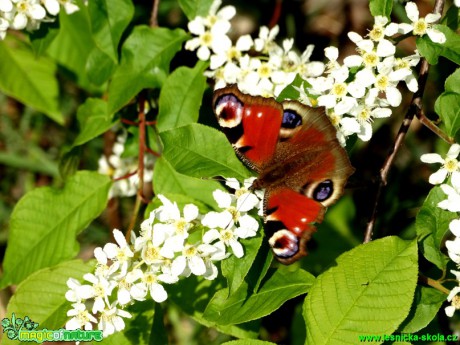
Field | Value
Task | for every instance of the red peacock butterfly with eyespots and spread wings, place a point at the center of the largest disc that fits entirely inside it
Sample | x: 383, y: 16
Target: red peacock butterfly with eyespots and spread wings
x: 300, y: 163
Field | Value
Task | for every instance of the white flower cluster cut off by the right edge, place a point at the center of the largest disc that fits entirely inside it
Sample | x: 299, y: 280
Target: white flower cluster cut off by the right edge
x: 450, y: 168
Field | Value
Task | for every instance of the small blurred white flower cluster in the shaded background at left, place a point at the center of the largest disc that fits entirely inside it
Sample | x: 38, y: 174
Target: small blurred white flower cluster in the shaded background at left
x: 123, y: 170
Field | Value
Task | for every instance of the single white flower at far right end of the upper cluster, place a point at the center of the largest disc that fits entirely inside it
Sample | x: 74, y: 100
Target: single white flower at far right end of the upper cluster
x: 422, y: 26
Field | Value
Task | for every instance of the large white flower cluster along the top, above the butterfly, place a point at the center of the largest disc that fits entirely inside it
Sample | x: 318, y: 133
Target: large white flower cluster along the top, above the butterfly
x: 355, y: 92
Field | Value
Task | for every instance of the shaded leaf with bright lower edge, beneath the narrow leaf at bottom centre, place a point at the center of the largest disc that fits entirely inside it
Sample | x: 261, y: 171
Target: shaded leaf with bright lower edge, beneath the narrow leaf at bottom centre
x: 193, y: 294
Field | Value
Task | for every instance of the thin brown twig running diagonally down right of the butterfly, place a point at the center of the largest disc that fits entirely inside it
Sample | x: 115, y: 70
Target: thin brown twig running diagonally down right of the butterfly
x: 415, y: 109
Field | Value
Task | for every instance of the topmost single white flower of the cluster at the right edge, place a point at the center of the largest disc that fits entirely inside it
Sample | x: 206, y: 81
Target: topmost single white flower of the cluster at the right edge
x: 450, y: 164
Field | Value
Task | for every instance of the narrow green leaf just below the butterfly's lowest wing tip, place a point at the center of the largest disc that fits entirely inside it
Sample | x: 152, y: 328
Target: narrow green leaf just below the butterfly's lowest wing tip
x: 280, y: 285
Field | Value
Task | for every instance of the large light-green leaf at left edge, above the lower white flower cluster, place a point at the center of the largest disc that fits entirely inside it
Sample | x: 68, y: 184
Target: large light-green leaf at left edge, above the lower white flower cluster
x: 45, y: 222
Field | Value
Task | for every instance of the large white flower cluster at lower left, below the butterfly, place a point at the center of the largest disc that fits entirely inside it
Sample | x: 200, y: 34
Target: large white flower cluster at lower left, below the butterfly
x: 171, y: 245
